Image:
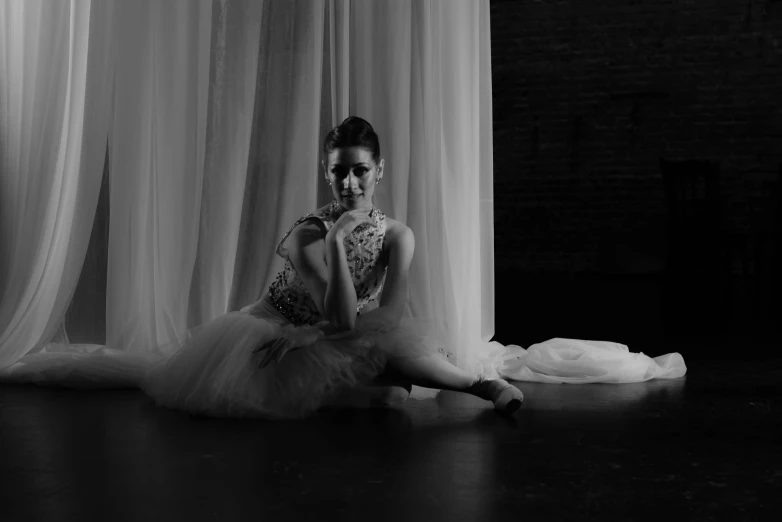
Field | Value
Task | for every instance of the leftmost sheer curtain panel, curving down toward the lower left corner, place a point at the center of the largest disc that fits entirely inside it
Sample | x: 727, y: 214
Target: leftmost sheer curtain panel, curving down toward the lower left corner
x: 55, y: 91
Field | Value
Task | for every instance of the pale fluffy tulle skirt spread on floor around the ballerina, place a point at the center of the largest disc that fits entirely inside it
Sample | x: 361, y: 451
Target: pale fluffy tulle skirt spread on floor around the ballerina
x: 217, y: 371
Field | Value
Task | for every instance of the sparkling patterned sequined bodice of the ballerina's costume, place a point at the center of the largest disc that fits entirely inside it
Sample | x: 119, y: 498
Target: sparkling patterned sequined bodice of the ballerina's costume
x: 363, y: 249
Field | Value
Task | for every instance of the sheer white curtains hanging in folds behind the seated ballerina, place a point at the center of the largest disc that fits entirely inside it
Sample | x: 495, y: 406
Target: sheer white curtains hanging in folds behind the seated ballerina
x: 218, y: 111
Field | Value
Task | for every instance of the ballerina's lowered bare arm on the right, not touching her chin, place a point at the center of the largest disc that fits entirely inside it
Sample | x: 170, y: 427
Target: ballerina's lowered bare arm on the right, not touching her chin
x: 394, y: 296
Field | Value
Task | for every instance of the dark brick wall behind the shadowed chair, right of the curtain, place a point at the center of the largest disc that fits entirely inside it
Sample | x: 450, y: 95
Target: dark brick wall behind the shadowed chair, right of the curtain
x: 588, y: 96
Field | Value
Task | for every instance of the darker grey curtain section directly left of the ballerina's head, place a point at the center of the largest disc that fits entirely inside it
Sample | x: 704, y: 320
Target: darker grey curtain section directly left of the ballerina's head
x: 283, y: 175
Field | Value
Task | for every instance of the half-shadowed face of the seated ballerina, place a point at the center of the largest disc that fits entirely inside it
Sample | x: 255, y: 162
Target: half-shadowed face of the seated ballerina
x: 353, y: 174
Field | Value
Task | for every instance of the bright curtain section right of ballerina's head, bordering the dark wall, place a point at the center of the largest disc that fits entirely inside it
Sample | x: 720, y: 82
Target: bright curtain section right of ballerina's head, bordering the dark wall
x: 422, y: 76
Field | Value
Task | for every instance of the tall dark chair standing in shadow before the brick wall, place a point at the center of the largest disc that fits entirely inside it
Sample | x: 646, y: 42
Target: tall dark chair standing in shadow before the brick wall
x: 693, y: 290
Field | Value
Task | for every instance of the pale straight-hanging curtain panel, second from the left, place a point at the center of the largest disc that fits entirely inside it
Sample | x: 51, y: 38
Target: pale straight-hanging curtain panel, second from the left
x: 157, y: 149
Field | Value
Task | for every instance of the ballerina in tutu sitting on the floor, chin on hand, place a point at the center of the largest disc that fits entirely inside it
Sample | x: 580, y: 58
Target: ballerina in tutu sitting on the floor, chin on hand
x: 307, y: 342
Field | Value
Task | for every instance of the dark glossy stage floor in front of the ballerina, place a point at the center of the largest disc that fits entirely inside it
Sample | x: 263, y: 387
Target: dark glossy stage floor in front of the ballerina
x: 705, y: 447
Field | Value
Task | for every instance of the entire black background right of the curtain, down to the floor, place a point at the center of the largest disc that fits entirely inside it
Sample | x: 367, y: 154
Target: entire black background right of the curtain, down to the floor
x: 588, y: 97
